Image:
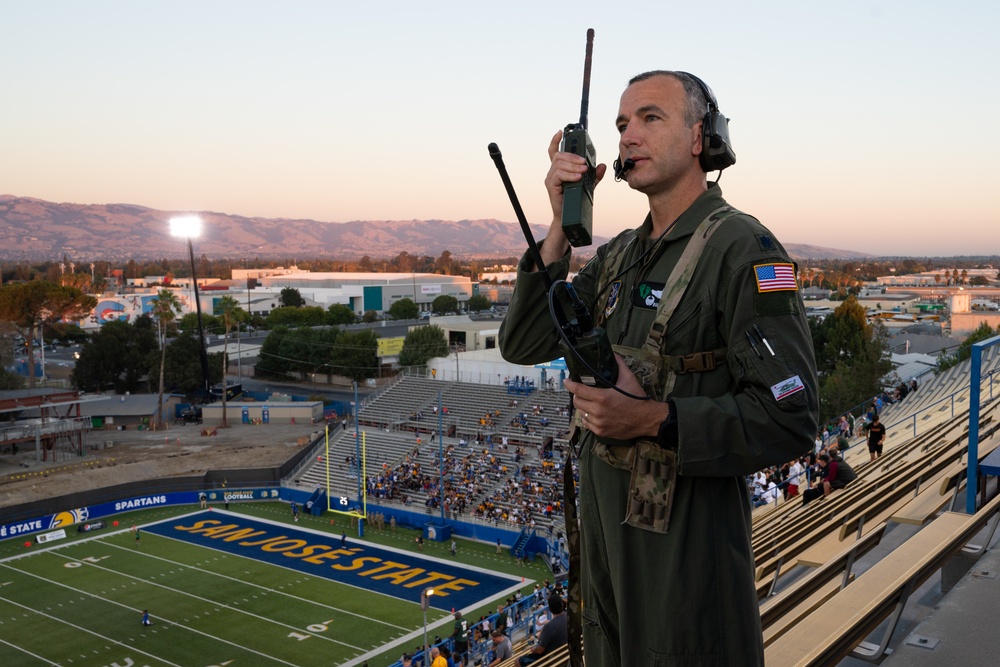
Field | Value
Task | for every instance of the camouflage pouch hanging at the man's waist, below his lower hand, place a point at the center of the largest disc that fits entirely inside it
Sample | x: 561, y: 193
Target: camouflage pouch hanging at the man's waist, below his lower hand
x: 651, y: 488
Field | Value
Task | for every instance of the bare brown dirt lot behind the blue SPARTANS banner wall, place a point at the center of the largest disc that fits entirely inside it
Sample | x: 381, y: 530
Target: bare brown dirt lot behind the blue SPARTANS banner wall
x: 136, y: 455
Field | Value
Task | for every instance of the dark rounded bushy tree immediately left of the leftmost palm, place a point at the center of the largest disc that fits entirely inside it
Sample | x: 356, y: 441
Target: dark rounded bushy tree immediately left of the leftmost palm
x: 117, y: 357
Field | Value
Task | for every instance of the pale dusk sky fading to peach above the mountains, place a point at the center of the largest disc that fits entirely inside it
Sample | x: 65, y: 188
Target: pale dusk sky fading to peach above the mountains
x: 860, y: 125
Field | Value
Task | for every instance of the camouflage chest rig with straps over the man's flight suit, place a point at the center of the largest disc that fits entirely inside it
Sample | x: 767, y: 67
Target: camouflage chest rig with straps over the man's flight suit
x: 654, y: 468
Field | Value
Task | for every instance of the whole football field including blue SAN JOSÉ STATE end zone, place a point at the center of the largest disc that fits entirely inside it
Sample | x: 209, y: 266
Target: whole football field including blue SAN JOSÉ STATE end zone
x: 226, y: 589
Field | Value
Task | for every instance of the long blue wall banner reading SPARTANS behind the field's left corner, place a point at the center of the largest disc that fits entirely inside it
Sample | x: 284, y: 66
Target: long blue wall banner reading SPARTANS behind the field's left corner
x: 68, y: 518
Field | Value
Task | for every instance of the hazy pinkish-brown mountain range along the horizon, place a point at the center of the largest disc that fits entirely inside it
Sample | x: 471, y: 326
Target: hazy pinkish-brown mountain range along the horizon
x: 37, y: 230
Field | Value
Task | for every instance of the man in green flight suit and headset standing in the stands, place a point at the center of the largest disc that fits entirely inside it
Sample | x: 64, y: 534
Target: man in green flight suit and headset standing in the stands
x: 717, y: 380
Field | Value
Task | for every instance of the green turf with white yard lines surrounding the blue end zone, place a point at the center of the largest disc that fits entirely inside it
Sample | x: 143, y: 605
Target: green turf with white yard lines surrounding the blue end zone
x: 79, y: 602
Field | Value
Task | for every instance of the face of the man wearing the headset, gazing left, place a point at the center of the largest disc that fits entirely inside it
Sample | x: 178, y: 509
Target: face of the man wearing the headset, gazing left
x: 653, y: 134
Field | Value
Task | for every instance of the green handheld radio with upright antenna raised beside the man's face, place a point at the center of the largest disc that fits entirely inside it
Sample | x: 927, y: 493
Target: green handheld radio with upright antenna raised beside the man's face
x: 578, y: 197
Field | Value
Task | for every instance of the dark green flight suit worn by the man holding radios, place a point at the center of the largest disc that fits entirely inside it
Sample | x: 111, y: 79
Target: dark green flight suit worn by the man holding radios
x: 687, y: 596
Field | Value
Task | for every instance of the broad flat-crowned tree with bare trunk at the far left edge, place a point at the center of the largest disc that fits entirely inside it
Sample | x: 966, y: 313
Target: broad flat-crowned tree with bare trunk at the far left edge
x: 29, y: 306
